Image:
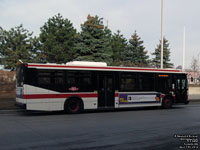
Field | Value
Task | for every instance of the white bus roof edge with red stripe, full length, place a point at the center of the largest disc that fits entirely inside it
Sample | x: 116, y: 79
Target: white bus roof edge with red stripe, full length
x: 99, y: 68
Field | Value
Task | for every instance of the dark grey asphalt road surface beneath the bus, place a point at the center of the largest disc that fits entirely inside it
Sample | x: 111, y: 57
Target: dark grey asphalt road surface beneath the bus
x: 150, y: 128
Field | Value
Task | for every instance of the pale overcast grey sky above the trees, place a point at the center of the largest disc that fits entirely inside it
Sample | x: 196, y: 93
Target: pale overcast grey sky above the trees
x: 144, y: 16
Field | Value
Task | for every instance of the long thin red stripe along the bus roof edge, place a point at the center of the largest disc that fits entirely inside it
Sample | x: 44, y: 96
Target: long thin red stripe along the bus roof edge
x: 106, y: 68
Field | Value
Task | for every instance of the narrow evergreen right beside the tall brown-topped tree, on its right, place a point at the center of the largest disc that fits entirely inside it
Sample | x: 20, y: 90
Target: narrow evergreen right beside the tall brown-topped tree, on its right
x: 119, y: 45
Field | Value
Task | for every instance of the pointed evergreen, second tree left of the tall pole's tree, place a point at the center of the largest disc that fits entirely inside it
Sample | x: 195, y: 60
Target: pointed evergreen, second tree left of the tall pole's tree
x: 135, y: 54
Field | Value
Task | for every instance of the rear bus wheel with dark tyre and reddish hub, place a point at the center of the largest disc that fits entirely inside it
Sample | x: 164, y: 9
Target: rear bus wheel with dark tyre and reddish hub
x: 73, y: 106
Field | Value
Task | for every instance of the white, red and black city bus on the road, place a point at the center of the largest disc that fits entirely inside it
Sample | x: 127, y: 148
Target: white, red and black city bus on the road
x: 77, y: 86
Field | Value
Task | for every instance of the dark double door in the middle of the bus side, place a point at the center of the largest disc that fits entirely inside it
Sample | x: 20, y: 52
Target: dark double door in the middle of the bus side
x: 105, y: 91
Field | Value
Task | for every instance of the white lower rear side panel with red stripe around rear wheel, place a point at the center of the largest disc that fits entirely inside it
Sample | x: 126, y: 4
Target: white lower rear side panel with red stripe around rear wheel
x: 43, y: 99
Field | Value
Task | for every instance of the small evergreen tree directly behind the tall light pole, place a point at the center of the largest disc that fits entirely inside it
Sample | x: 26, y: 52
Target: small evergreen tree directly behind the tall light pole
x: 166, y: 55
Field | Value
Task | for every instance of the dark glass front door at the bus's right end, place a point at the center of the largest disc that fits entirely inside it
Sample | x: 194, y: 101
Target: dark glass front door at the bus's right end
x: 181, y: 90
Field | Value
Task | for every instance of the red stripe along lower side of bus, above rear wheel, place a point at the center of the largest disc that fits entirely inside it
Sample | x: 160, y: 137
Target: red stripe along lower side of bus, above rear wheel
x: 40, y: 96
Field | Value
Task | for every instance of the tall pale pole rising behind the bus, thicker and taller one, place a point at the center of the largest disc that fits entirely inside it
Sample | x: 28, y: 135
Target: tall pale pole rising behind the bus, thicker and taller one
x: 162, y: 33
